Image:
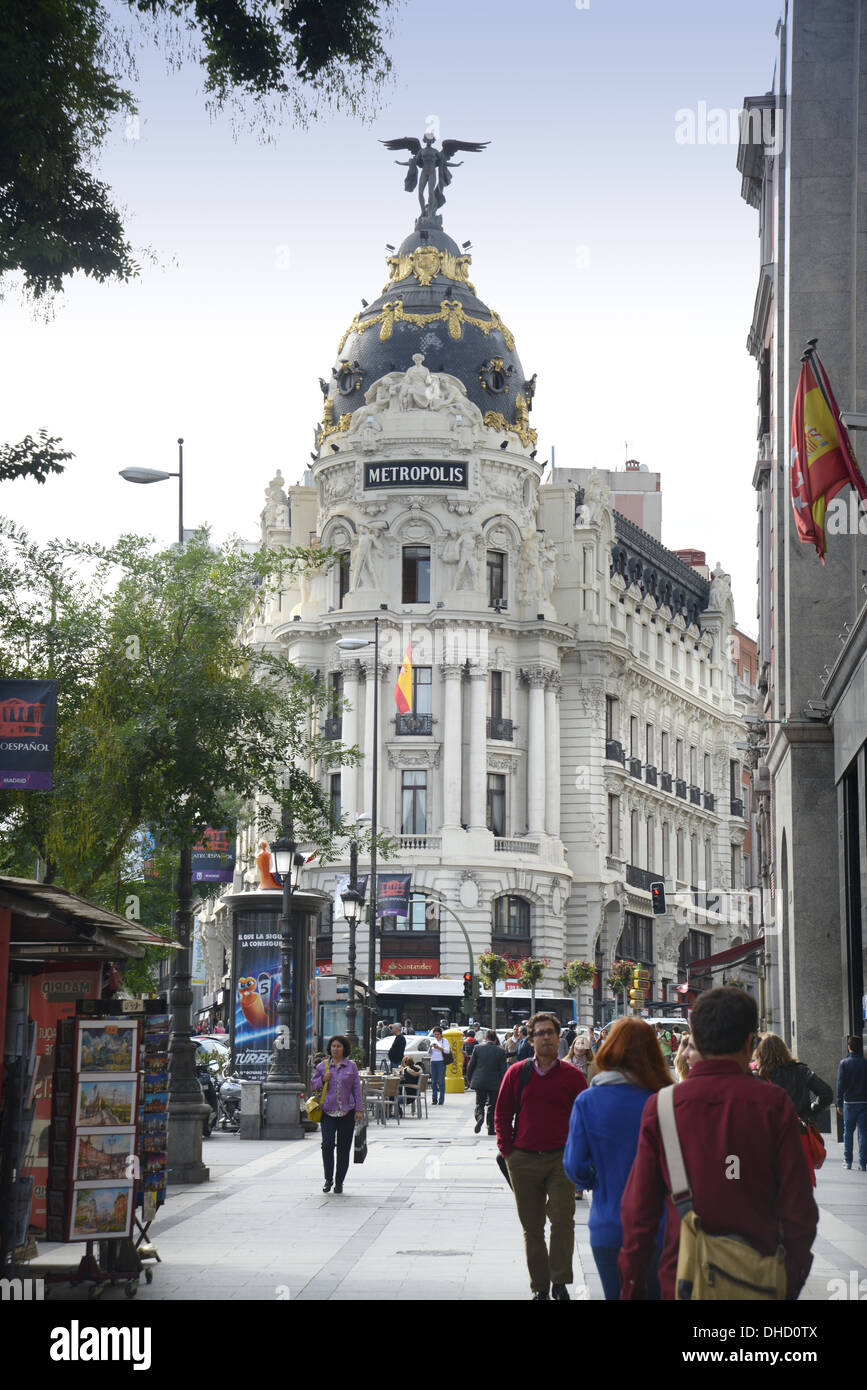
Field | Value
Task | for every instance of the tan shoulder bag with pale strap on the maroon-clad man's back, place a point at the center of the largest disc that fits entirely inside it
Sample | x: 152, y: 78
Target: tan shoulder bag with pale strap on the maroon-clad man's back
x: 713, y: 1268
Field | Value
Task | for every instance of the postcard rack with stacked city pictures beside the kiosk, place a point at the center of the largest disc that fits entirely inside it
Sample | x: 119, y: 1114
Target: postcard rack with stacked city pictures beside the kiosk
x: 108, y: 1145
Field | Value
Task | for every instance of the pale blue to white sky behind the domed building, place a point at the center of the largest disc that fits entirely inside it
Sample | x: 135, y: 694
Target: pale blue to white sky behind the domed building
x: 619, y: 254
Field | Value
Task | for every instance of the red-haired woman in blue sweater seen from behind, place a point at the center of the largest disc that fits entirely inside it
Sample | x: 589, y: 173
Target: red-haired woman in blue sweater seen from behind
x: 604, y: 1138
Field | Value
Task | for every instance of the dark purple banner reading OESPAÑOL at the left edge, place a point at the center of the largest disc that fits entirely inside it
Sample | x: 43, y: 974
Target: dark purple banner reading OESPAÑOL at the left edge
x: 28, y: 725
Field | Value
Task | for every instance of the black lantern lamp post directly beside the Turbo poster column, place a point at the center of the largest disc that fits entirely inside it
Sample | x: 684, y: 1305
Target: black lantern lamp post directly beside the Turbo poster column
x: 284, y: 1082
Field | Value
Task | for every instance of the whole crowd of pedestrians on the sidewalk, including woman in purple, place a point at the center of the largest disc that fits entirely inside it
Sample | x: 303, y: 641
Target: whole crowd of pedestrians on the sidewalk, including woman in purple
x: 580, y: 1111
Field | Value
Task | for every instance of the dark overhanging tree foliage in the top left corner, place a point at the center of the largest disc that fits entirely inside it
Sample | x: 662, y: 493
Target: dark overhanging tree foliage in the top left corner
x: 63, y: 73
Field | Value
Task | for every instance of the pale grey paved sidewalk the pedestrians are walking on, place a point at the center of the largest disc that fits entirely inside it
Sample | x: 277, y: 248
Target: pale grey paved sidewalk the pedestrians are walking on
x: 429, y: 1216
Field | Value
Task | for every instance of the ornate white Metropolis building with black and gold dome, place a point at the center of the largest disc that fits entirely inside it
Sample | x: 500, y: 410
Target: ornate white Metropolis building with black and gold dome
x: 575, y: 721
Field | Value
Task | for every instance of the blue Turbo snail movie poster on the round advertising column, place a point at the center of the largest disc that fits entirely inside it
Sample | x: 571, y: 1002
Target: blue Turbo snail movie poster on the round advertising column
x: 256, y: 976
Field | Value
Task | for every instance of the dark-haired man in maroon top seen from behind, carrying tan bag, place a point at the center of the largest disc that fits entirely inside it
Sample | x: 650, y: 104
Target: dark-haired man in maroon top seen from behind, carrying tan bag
x: 743, y: 1152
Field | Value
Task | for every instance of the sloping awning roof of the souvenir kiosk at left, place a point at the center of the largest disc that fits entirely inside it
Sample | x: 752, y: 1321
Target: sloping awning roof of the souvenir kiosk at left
x: 51, y: 924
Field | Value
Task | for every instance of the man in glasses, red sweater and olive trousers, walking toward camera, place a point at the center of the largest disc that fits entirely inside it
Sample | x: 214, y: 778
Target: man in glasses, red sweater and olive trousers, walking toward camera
x: 534, y: 1154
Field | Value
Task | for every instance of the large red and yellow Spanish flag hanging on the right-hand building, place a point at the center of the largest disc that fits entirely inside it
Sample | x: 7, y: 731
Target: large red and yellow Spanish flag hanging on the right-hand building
x: 823, y: 461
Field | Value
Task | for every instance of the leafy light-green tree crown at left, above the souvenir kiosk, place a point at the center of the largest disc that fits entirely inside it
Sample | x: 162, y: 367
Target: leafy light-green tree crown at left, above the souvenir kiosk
x: 167, y: 717
